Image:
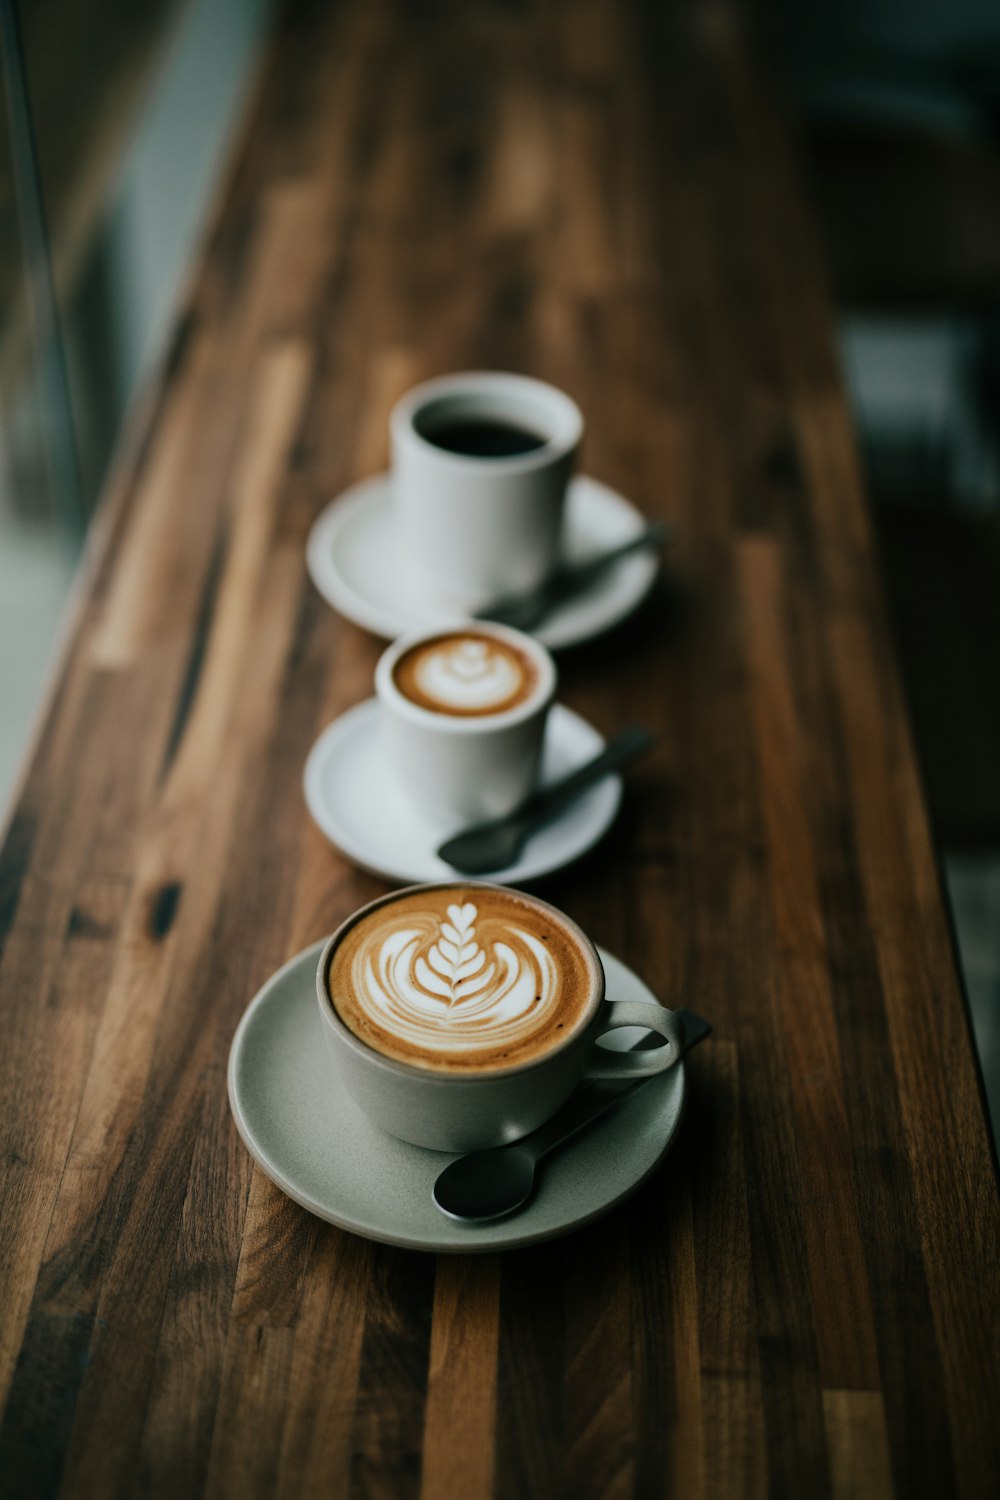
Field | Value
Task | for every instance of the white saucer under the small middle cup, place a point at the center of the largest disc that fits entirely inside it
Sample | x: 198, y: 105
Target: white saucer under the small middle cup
x: 356, y: 803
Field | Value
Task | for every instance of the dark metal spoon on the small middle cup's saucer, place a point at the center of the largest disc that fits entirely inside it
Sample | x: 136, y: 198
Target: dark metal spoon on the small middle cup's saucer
x: 496, y: 845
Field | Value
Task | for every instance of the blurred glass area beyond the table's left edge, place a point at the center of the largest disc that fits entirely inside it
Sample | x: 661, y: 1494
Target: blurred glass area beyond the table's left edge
x: 130, y: 110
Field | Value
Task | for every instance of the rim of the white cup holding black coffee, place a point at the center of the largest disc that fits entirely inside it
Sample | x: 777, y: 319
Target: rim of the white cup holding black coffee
x: 504, y: 383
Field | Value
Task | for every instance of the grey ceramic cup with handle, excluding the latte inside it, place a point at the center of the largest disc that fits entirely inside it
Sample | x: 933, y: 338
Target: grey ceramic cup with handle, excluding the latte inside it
x: 463, y: 1112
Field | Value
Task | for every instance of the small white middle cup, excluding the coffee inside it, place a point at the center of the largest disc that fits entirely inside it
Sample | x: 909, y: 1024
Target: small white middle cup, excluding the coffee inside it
x: 464, y: 770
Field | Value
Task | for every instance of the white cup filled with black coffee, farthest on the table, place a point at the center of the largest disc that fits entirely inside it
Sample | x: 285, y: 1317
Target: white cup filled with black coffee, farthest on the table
x: 481, y: 472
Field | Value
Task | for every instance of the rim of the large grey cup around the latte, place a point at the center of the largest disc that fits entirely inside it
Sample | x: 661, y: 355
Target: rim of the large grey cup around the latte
x: 454, y: 1076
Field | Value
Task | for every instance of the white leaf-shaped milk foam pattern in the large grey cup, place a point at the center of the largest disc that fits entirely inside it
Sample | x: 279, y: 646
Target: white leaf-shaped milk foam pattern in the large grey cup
x: 442, y: 986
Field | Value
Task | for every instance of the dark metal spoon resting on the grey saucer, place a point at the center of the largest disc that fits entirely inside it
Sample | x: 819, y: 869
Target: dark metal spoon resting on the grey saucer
x: 491, y: 1184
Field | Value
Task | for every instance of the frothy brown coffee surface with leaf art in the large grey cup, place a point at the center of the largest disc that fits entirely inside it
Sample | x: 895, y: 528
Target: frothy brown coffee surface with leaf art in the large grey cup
x: 463, y: 979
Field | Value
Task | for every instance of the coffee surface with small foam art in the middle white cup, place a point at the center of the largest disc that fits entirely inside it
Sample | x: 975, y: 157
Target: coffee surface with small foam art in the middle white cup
x: 466, y: 674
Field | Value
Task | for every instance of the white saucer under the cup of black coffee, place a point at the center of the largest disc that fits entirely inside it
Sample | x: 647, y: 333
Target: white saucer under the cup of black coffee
x: 355, y: 562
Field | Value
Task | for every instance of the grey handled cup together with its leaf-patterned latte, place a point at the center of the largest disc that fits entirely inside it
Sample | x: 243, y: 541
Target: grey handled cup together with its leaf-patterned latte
x: 461, y: 1016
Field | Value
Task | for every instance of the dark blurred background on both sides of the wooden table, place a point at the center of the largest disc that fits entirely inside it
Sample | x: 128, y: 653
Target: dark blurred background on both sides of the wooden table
x: 116, y: 128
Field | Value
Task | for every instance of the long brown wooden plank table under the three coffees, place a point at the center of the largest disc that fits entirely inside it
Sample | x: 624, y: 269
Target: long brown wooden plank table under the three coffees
x: 803, y: 1301
